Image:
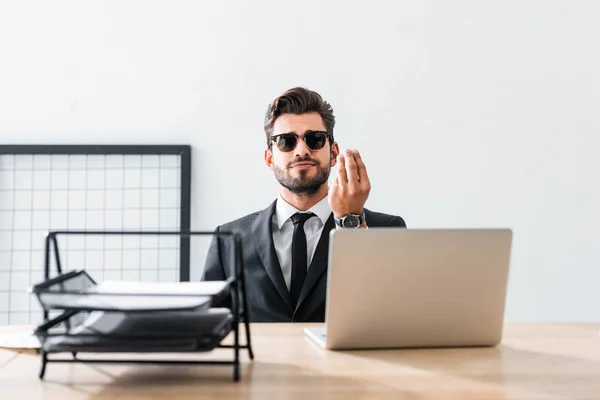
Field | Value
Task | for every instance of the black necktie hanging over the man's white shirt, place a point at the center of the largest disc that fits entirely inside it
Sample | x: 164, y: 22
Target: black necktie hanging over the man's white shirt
x: 299, y: 256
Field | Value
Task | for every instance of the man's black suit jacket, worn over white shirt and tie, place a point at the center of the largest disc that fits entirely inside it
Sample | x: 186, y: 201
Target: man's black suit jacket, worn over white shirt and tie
x: 267, y: 293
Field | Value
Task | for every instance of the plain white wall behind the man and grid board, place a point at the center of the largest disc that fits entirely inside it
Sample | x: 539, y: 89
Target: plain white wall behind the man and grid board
x: 468, y: 113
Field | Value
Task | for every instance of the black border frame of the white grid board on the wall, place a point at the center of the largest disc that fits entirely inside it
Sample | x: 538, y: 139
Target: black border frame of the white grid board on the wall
x: 185, y: 151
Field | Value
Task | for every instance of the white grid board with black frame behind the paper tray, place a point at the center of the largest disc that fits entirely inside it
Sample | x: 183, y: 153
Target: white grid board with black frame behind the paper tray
x: 89, y: 187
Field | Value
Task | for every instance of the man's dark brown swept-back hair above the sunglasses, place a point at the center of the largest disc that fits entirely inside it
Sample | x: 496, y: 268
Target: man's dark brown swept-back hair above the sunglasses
x: 299, y: 100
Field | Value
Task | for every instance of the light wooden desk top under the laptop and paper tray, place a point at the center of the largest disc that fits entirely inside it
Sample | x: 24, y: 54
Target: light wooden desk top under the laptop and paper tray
x: 535, y: 361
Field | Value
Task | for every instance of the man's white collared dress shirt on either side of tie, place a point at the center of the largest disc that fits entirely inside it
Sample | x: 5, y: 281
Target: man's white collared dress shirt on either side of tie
x: 283, y: 232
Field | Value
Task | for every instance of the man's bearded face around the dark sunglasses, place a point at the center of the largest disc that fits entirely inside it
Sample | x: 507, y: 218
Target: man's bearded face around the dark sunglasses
x: 302, y: 170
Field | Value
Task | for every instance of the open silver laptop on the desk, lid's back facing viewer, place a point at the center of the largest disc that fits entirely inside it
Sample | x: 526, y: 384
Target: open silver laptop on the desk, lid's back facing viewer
x: 410, y: 288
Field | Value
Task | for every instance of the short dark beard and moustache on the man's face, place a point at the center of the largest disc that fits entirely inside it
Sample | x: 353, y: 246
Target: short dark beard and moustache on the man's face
x: 303, y: 185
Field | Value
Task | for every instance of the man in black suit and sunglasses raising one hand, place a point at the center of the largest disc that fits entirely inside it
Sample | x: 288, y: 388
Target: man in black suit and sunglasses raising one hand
x: 285, y: 246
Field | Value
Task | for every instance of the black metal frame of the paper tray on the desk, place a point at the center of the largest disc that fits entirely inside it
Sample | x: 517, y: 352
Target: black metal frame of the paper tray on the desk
x: 237, y: 284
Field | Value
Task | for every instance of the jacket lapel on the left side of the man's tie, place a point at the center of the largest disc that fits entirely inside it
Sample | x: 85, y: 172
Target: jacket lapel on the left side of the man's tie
x: 262, y: 233
